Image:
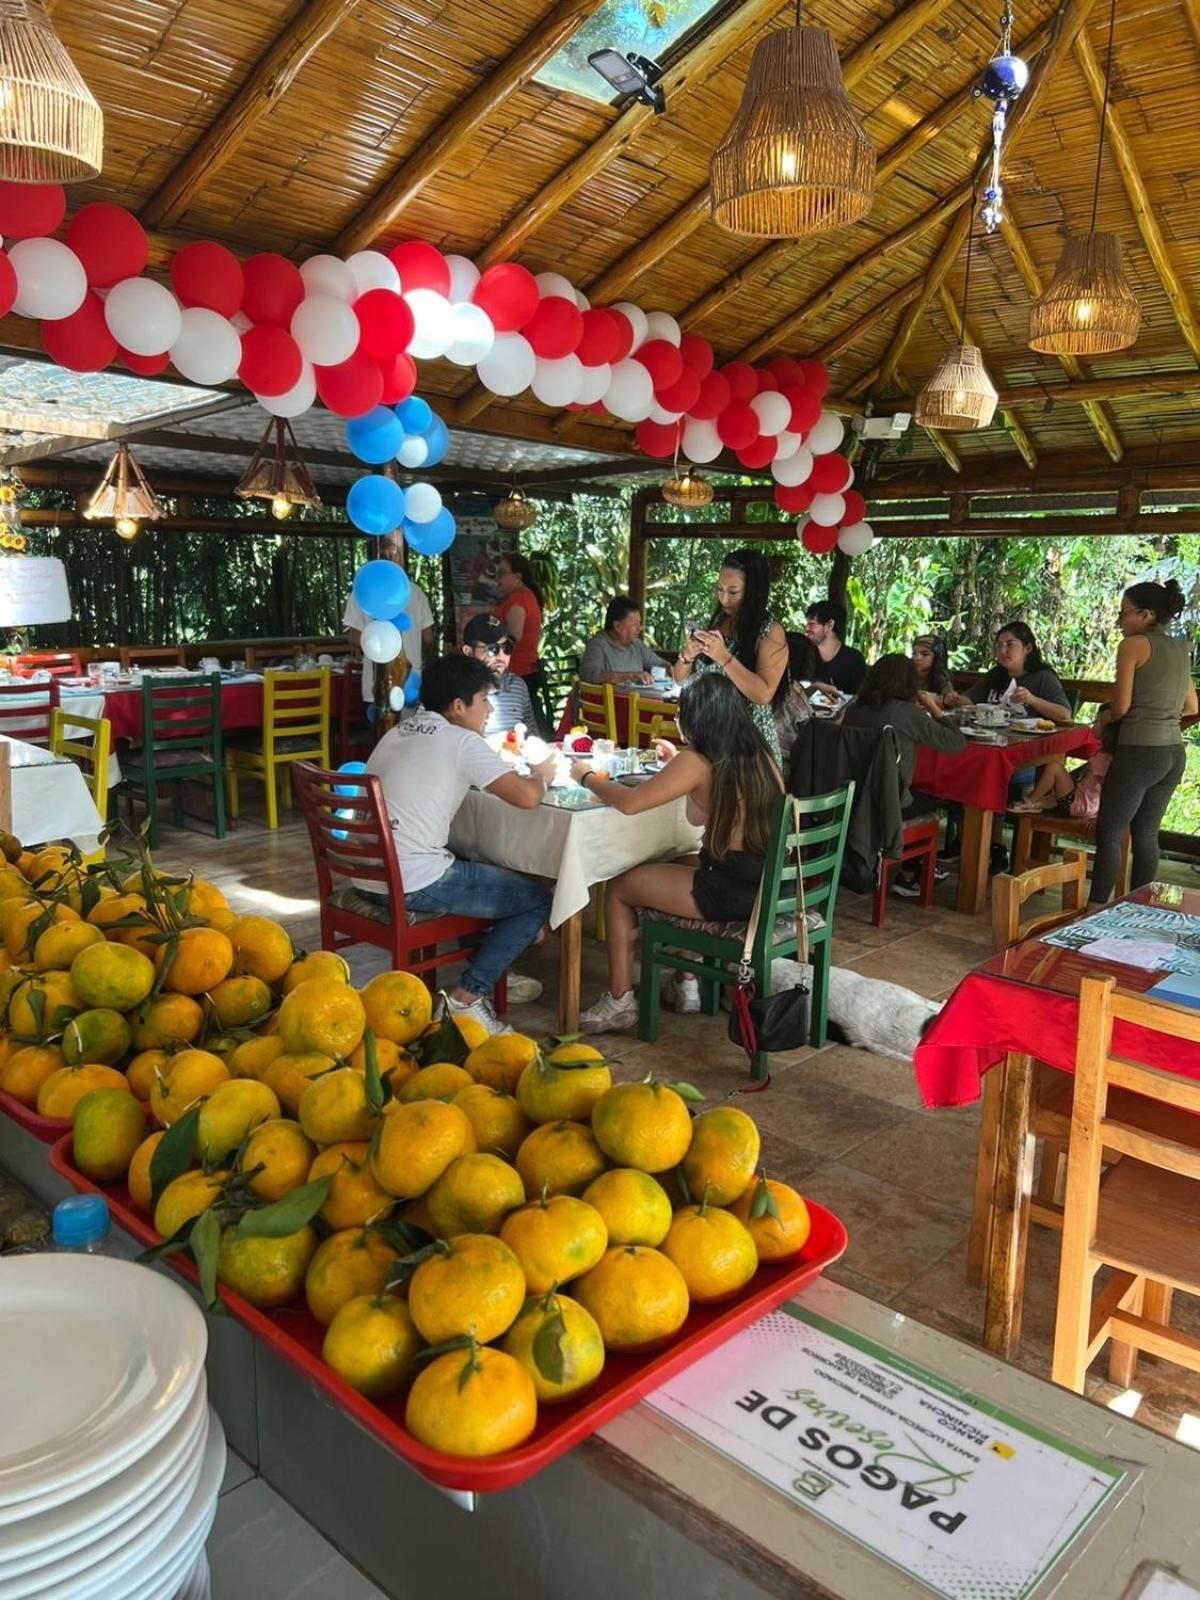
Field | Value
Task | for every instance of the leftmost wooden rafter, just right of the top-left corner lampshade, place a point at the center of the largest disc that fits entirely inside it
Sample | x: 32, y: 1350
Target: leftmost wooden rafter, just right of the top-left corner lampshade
x: 258, y: 97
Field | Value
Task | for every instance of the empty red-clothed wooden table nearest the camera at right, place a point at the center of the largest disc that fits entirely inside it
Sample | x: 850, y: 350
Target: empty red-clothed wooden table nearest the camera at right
x: 1018, y: 1009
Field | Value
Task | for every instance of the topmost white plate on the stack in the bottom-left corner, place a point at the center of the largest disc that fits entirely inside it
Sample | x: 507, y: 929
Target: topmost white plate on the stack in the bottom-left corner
x: 98, y: 1359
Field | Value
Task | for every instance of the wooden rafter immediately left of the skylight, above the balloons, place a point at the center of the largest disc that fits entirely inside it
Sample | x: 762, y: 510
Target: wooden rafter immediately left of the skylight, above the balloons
x: 439, y: 148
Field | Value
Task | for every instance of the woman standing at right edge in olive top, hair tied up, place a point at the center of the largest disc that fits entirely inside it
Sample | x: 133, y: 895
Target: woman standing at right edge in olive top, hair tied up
x: 1153, y: 692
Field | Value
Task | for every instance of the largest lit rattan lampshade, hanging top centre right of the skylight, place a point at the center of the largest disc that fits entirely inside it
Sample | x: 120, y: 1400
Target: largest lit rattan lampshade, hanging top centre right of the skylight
x: 796, y: 159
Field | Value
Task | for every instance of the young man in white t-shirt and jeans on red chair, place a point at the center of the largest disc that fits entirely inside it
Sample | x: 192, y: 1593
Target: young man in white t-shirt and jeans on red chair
x: 426, y: 767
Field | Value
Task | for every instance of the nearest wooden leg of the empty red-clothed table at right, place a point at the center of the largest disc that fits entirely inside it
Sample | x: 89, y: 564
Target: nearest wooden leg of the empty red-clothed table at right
x: 1010, y: 1210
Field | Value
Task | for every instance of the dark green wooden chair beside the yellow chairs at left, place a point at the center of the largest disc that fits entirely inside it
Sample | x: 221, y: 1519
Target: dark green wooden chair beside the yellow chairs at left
x: 182, y: 743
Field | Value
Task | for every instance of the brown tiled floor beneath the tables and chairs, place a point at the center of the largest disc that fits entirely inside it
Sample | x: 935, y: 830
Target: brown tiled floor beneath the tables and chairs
x: 842, y: 1124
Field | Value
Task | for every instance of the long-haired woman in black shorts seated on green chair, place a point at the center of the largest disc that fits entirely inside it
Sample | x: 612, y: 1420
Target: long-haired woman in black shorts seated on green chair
x: 730, y: 785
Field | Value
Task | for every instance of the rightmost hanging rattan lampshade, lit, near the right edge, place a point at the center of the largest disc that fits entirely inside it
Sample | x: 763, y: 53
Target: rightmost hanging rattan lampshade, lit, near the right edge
x: 1089, y: 306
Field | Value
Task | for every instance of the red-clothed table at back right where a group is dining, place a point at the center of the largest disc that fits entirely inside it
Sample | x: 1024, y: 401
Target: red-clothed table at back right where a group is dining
x: 978, y: 780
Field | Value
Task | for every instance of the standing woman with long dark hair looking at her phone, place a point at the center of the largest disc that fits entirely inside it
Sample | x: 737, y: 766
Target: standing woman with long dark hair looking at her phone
x: 743, y: 641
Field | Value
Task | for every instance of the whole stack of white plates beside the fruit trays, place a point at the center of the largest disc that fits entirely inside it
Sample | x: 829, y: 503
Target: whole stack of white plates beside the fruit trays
x: 111, y: 1460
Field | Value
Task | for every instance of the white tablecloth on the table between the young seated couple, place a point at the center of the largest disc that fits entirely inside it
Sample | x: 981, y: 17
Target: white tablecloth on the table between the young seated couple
x: 575, y: 849
